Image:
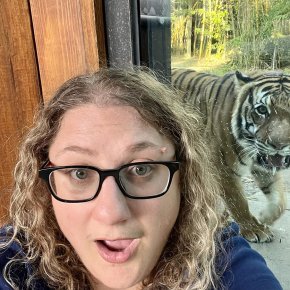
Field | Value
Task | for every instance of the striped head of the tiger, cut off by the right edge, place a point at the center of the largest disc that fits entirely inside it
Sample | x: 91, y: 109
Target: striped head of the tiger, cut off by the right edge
x: 261, y: 118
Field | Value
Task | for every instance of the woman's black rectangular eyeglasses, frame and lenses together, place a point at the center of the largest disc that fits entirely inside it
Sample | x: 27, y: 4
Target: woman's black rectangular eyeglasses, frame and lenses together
x: 138, y: 180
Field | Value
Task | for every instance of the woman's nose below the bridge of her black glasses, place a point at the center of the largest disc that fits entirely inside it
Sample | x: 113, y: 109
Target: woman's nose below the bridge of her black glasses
x: 111, y: 205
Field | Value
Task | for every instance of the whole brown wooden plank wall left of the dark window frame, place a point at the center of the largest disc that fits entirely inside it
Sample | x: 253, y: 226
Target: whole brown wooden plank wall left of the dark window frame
x: 42, y: 44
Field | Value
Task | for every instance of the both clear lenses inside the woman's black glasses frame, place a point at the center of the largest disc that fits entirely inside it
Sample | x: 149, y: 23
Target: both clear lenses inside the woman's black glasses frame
x: 136, y: 180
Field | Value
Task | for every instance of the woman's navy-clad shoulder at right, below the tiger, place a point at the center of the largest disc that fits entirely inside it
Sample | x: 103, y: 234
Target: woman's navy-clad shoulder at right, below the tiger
x: 244, y: 268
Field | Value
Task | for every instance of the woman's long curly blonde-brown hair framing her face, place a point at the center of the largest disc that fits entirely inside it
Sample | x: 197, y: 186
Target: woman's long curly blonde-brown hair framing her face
x: 188, y: 260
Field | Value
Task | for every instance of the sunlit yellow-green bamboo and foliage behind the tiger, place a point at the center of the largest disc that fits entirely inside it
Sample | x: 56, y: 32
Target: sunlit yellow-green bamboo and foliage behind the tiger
x: 250, y: 33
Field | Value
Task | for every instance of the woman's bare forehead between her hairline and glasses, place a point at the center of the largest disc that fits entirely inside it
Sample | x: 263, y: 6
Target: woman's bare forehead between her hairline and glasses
x: 95, y: 129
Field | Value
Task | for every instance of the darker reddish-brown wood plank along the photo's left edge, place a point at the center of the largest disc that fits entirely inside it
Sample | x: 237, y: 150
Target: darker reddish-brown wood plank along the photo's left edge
x: 19, y: 86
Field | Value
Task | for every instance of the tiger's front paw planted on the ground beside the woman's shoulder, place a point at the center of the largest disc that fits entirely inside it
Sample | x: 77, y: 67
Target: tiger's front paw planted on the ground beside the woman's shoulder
x: 258, y: 235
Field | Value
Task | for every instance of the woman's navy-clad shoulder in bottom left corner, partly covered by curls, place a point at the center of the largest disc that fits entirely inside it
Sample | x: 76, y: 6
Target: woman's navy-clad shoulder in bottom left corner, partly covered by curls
x: 12, y: 260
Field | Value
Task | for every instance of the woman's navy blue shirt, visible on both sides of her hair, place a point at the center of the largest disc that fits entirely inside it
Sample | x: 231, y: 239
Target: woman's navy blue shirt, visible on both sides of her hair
x: 245, y: 269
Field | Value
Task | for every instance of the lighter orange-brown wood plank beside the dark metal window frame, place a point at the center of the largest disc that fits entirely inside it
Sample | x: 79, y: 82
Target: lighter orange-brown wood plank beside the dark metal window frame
x: 66, y: 40
